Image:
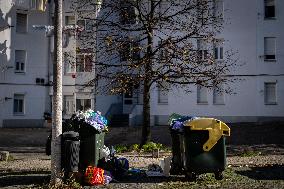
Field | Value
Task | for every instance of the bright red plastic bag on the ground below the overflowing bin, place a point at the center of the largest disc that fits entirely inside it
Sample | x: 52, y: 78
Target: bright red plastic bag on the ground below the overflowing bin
x: 94, y: 175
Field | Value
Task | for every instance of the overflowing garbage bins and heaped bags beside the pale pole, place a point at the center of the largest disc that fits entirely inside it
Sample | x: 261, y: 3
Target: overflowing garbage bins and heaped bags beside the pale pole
x: 87, y: 154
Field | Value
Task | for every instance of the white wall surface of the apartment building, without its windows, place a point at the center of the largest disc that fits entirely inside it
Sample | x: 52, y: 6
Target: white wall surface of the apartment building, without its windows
x: 244, y: 32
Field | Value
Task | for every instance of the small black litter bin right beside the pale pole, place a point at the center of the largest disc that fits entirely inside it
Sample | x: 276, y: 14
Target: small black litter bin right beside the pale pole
x: 70, y: 152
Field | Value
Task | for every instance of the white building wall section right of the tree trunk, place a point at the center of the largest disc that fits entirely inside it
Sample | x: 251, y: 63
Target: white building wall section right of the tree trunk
x: 244, y: 32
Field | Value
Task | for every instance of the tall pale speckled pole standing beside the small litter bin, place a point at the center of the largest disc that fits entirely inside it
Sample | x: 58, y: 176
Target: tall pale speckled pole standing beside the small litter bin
x: 57, y: 98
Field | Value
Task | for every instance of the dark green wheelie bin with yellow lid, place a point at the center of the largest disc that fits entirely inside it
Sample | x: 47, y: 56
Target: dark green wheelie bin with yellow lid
x: 204, y: 147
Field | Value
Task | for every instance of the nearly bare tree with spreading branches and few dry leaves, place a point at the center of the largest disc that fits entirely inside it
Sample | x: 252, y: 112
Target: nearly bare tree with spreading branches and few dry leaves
x: 167, y: 43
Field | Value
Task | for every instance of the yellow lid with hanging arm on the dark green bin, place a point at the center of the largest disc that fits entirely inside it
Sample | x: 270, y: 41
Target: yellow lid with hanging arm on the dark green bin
x: 216, y: 129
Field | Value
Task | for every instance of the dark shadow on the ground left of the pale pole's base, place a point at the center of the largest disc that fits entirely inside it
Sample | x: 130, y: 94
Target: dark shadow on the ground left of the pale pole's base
x: 23, y: 179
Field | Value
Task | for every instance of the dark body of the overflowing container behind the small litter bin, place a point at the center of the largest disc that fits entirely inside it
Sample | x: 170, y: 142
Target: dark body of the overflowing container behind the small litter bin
x: 92, y: 142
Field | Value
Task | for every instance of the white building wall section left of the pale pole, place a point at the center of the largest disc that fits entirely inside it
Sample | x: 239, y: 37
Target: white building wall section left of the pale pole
x: 35, y: 44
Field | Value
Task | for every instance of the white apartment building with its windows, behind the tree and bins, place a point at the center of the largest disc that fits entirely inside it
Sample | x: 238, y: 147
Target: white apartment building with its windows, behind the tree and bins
x: 253, y: 28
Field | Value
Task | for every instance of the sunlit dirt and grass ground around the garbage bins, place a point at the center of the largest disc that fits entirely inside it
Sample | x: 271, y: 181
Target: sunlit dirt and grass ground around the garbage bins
x: 32, y: 170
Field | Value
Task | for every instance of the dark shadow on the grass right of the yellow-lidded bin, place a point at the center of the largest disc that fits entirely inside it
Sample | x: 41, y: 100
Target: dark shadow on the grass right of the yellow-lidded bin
x: 274, y: 172
